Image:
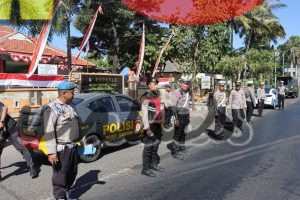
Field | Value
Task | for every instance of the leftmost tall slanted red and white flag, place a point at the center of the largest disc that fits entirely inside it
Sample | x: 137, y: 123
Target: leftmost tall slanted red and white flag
x: 42, y: 41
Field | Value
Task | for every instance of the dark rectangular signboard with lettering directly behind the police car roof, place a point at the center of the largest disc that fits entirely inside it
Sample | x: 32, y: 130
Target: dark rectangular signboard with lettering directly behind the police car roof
x: 105, y: 83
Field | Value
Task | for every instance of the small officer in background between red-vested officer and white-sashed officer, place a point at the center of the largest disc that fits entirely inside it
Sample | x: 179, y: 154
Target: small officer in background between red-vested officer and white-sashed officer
x: 167, y: 106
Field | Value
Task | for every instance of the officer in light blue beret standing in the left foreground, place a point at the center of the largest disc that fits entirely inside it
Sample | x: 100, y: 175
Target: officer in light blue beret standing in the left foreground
x: 61, y: 126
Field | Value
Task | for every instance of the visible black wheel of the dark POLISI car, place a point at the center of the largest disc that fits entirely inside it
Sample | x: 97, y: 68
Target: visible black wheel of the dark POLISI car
x: 97, y: 143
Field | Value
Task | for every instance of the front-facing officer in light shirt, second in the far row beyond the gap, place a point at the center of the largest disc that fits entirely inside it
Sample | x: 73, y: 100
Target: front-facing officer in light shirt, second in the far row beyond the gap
x: 238, y: 106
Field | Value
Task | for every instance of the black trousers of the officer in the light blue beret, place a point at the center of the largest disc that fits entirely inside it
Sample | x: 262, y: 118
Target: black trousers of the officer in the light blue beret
x: 64, y: 173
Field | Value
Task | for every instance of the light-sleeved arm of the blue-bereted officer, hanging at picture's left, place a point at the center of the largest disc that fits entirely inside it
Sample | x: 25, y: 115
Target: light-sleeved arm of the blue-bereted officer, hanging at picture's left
x: 50, y: 137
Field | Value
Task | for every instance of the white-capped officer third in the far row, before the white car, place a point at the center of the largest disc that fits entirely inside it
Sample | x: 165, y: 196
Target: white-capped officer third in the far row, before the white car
x: 250, y: 100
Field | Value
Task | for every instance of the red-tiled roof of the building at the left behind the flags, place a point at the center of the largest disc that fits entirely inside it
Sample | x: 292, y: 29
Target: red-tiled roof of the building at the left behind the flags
x: 27, y: 45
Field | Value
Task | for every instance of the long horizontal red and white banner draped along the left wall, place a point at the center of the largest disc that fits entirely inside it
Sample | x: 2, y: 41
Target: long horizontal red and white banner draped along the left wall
x: 11, y: 79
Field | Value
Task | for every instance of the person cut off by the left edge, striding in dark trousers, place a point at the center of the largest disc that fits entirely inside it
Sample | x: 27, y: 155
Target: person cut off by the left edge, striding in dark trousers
x: 9, y: 130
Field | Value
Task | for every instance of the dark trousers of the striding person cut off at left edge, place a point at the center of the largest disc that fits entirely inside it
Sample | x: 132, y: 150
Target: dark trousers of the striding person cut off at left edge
x: 13, y: 135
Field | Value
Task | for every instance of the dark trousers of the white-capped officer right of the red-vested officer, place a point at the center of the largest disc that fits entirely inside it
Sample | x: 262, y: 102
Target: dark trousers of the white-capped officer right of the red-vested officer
x: 180, y: 132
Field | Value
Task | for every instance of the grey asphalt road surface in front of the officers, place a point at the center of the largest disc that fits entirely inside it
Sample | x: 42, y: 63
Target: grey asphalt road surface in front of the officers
x: 261, y: 164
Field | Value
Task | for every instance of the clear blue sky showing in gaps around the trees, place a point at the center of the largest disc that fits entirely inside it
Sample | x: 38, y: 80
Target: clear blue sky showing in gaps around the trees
x: 288, y: 16
